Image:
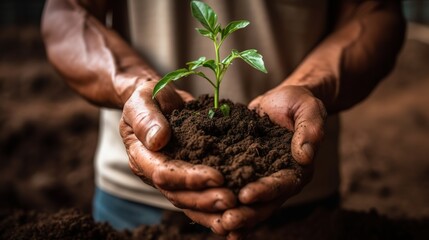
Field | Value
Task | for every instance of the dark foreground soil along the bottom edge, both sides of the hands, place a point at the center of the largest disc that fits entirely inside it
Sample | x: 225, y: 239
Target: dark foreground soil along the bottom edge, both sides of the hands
x: 317, y: 223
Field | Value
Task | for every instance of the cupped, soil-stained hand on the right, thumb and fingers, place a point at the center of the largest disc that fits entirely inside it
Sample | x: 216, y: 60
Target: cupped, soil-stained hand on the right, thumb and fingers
x: 297, y: 109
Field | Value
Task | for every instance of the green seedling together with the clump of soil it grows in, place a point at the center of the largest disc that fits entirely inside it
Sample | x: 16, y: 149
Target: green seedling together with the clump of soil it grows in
x: 233, y: 139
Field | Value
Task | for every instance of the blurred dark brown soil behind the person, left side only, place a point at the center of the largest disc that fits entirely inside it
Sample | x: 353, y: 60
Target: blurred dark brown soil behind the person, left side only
x: 47, y: 134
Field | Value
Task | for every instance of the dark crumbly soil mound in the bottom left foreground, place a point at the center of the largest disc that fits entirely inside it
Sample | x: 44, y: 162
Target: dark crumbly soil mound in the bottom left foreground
x: 74, y: 224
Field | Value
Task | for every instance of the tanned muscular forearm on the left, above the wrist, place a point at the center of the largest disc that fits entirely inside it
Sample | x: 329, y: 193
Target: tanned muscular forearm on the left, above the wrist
x: 95, y: 61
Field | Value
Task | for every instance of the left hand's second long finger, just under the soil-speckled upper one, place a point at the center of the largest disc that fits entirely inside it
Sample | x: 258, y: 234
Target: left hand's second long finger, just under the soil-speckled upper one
x: 210, y: 200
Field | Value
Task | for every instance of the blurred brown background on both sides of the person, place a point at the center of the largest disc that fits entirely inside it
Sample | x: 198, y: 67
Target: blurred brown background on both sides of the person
x: 48, y: 134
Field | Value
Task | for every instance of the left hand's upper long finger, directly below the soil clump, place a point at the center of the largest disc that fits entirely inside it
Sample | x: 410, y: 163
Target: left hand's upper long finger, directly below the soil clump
x: 176, y: 175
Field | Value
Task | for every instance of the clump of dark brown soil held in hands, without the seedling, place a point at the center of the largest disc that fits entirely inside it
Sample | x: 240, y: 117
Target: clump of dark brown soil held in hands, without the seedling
x: 242, y: 146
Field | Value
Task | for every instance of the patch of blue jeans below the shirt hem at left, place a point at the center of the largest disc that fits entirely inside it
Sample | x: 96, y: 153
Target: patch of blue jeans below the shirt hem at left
x: 123, y: 214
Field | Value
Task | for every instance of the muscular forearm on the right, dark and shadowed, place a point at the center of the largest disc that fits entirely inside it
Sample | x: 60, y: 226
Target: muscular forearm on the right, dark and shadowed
x: 361, y: 50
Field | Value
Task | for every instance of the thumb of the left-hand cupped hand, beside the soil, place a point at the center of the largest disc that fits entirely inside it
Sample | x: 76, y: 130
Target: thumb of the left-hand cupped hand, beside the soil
x: 148, y: 123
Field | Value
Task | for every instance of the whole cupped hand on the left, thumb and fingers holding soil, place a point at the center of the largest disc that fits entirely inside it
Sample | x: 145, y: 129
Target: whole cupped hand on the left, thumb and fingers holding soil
x: 145, y: 130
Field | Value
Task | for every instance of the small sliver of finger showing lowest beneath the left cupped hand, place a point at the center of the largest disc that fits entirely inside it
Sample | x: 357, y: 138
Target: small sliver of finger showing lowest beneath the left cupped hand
x: 209, y: 220
